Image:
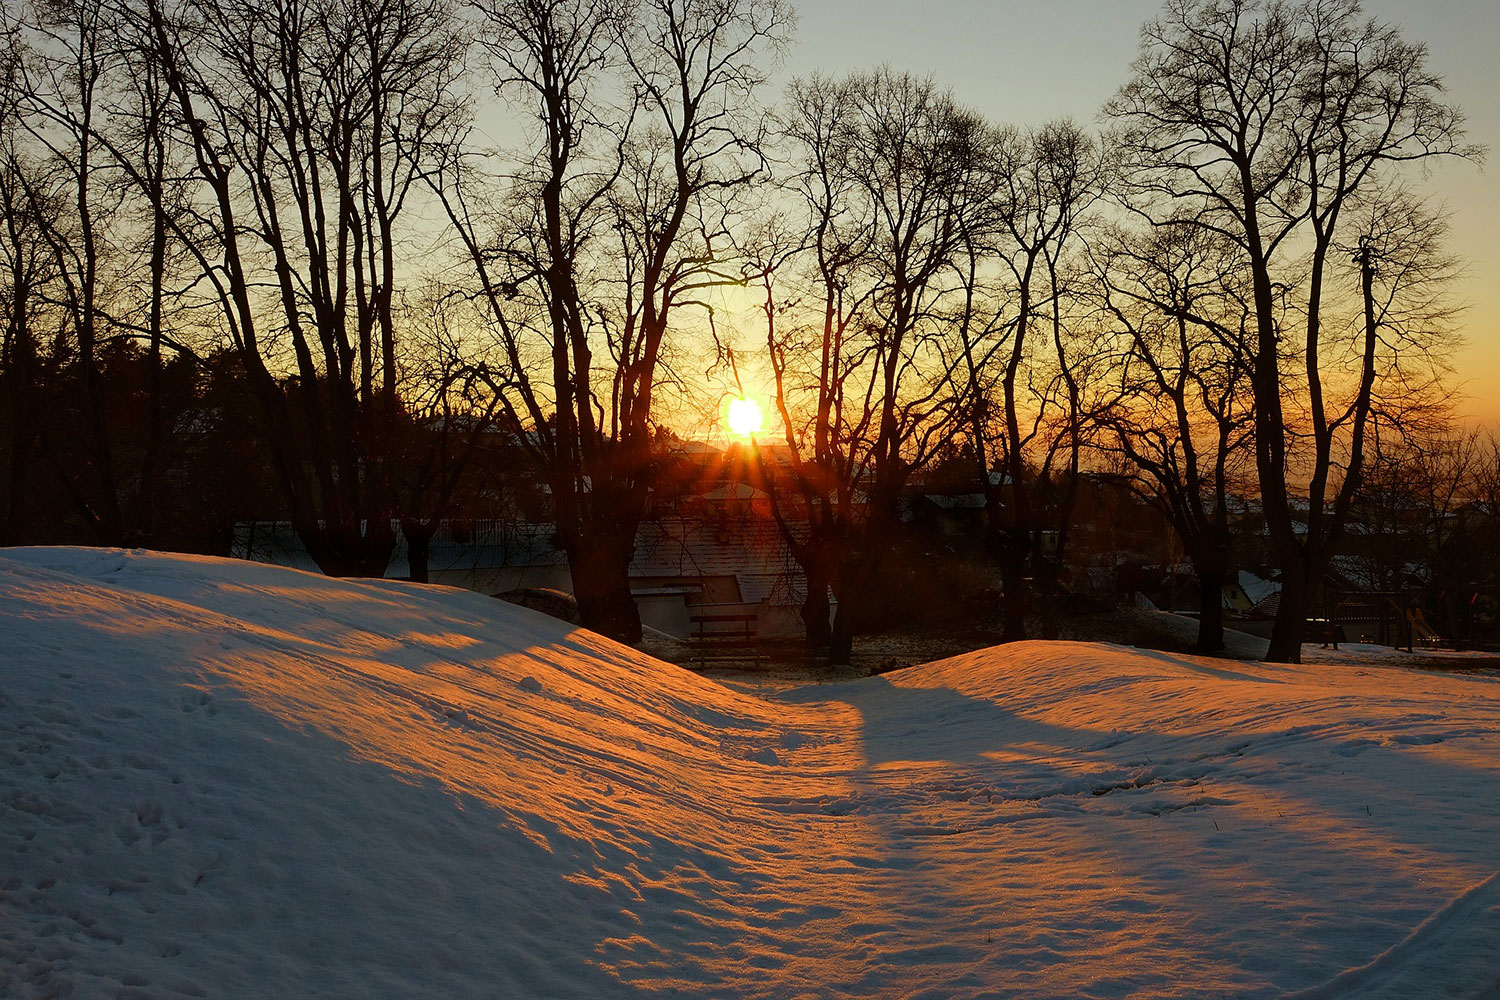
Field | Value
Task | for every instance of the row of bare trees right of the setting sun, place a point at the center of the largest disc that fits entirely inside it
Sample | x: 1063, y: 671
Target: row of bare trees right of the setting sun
x: 1243, y: 277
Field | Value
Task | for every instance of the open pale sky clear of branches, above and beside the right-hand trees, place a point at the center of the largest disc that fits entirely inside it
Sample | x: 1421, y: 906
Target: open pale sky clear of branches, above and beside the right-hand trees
x: 1033, y: 61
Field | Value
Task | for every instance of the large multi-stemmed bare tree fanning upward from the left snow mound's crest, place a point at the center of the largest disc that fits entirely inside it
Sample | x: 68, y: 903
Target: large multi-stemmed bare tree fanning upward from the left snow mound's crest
x: 310, y: 128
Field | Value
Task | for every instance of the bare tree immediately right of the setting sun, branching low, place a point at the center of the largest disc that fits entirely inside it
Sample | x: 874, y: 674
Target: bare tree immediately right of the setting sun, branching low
x: 893, y: 175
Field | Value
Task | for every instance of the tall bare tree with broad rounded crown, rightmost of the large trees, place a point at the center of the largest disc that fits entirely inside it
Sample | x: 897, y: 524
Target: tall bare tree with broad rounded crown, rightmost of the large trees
x: 1267, y: 122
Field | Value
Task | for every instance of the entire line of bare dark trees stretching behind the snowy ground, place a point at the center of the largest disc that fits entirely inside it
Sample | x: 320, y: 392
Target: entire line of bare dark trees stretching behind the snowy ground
x: 265, y: 259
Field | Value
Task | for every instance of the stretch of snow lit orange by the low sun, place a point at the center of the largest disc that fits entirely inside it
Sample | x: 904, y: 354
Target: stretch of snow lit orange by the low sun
x: 932, y: 821
